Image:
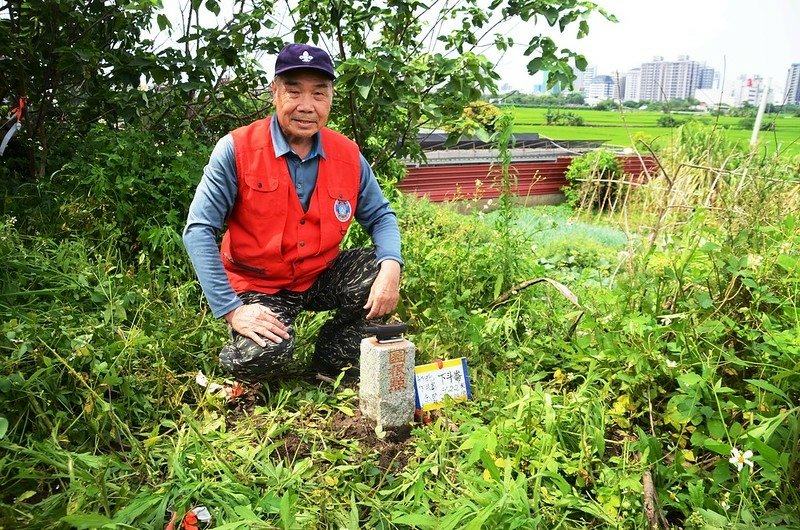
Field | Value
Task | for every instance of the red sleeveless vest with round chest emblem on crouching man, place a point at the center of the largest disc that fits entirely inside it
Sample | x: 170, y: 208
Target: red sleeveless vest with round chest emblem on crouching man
x: 271, y: 244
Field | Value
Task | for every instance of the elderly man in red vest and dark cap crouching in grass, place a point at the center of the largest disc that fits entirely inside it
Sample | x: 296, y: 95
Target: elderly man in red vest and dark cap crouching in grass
x: 288, y: 188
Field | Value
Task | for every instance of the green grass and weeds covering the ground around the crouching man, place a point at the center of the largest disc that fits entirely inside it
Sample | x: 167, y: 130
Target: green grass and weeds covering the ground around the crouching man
x: 673, y: 356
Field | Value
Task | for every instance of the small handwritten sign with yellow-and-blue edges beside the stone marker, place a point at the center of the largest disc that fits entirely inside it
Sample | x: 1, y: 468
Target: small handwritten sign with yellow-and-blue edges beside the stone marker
x: 435, y: 380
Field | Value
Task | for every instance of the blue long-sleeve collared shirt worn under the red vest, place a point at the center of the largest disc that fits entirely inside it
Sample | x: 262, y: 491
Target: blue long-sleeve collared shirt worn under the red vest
x: 216, y: 194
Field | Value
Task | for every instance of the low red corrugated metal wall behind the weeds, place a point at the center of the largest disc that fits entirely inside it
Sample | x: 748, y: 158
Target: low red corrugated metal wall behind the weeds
x: 466, y: 181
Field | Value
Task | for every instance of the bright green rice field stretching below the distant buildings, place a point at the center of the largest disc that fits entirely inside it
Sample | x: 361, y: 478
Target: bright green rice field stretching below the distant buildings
x: 624, y: 128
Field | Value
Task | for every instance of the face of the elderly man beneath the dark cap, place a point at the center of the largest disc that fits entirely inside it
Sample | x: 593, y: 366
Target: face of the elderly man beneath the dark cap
x: 302, y: 104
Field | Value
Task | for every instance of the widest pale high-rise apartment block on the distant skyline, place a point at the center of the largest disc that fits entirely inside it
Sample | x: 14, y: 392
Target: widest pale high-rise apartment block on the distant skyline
x: 664, y: 80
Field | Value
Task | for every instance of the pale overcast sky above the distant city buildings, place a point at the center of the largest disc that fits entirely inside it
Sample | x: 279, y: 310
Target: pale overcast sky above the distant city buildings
x: 753, y: 37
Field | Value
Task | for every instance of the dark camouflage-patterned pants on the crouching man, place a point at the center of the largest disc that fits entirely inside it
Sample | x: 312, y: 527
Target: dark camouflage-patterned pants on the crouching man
x: 343, y: 287
